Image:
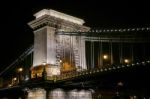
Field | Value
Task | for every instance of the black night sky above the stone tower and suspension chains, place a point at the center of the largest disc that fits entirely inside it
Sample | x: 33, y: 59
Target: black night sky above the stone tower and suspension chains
x: 16, y: 35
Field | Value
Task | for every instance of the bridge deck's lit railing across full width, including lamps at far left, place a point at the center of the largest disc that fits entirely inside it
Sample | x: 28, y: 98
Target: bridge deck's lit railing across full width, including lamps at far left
x: 74, y: 75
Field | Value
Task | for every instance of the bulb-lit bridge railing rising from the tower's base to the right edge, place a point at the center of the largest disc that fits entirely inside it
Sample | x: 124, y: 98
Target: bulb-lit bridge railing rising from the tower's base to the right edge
x: 73, y: 75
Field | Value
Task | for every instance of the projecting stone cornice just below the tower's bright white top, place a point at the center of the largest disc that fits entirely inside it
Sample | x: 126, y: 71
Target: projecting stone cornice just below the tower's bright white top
x: 47, y: 20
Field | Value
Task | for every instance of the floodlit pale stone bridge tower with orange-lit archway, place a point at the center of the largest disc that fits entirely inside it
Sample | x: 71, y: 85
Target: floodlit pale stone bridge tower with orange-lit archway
x: 59, y: 53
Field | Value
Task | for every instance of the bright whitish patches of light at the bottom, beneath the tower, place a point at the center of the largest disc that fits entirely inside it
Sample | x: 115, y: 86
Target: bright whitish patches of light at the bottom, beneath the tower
x: 59, y: 94
